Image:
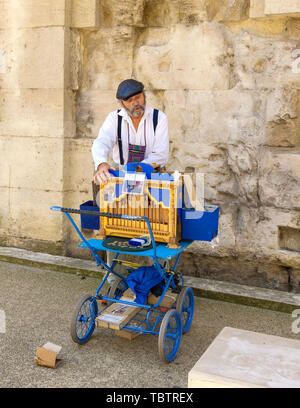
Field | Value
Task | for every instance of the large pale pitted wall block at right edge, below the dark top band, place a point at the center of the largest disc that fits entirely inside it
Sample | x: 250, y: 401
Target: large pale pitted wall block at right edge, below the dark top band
x: 264, y: 62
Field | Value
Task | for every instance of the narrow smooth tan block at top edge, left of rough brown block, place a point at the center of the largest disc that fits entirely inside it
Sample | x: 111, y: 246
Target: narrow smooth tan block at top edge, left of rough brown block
x: 85, y: 13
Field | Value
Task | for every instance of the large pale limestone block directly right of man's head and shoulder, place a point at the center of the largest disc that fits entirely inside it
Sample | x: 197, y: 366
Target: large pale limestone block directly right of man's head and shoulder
x: 214, y: 117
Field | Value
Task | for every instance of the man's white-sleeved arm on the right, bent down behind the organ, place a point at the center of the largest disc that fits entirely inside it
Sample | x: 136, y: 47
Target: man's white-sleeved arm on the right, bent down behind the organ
x: 160, y: 151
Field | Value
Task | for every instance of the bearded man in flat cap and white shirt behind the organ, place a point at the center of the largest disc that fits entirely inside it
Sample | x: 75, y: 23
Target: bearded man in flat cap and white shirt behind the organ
x: 137, y: 142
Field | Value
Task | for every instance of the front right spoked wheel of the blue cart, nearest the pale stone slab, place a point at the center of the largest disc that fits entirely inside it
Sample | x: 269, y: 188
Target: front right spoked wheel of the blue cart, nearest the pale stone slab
x: 169, y: 336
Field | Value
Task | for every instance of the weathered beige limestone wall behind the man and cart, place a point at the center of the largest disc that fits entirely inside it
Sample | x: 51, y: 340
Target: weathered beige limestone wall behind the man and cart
x: 226, y: 74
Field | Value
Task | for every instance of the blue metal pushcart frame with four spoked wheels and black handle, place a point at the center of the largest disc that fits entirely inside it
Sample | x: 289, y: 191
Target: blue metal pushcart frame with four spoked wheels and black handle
x: 168, y: 323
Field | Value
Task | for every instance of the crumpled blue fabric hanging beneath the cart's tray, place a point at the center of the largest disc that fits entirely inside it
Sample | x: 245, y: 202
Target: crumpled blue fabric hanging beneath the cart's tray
x: 142, y: 280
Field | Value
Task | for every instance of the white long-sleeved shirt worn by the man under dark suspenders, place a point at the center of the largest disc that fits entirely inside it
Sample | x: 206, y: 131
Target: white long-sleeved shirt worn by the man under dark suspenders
x: 157, y: 145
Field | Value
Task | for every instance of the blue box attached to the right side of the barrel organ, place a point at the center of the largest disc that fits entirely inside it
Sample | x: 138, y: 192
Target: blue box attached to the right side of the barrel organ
x: 200, y: 225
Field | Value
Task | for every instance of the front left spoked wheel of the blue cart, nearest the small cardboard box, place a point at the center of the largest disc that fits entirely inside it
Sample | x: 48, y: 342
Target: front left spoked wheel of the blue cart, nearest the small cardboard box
x: 83, y: 320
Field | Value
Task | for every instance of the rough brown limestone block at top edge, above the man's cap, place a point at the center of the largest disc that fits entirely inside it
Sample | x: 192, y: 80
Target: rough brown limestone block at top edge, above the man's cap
x: 130, y: 13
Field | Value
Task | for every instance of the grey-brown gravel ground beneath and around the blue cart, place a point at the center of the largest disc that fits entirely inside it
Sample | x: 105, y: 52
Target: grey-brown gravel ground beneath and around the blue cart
x: 38, y: 306
